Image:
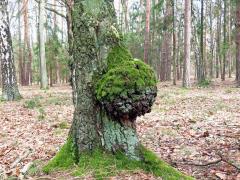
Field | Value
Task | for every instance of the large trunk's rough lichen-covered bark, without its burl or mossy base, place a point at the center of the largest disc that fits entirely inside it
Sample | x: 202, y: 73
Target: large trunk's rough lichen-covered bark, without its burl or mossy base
x: 92, y: 128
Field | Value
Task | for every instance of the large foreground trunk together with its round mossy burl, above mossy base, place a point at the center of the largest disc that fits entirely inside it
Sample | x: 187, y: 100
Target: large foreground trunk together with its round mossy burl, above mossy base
x: 111, y: 88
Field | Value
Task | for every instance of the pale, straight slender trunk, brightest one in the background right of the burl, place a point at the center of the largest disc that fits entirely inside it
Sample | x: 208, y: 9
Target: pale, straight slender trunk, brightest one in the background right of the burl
x: 187, y: 45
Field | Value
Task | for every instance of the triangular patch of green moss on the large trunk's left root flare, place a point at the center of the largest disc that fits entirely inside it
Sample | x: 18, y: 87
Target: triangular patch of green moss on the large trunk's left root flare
x: 64, y: 159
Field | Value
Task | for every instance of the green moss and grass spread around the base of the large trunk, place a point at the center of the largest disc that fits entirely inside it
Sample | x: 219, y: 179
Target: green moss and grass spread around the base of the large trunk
x: 102, y: 164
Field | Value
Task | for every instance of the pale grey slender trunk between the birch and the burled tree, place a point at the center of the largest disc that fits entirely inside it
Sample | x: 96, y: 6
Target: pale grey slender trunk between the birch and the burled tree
x: 43, y: 66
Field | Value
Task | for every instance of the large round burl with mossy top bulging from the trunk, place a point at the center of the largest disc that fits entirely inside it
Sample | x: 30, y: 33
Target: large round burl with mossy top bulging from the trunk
x: 128, y: 88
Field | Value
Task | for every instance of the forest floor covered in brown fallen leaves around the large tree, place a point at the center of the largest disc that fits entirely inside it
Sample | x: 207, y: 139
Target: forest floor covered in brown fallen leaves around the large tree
x: 196, y: 130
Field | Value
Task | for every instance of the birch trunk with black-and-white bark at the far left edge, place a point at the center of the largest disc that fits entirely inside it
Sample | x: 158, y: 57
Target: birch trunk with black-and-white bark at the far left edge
x: 9, y: 82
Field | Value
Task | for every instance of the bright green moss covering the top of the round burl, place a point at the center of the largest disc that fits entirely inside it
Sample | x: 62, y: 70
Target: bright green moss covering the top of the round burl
x: 125, y: 75
